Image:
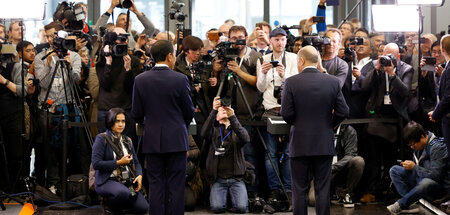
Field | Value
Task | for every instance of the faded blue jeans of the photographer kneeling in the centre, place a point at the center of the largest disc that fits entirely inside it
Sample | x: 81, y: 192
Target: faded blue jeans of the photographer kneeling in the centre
x: 238, y: 194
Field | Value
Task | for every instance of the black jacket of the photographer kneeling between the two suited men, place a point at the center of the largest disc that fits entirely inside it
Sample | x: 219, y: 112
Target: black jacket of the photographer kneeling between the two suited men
x: 239, y: 137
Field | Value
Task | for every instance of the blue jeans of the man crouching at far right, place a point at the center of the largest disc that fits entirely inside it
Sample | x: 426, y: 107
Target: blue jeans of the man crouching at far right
x: 412, y: 188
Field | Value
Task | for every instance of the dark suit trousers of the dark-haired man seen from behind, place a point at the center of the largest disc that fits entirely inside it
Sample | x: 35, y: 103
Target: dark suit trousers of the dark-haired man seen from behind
x: 166, y: 176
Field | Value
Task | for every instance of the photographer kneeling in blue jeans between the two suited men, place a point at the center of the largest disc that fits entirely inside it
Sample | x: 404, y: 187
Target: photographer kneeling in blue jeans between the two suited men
x: 225, y: 164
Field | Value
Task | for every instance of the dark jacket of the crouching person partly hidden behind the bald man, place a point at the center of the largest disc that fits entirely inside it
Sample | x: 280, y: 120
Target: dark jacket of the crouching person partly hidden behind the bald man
x: 346, y: 148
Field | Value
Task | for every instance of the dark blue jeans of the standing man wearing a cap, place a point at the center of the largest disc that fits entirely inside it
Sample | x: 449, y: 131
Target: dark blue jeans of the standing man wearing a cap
x: 272, y: 146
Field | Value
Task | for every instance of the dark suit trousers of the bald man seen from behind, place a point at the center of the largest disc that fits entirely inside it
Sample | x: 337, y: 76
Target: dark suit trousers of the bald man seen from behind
x: 320, y: 169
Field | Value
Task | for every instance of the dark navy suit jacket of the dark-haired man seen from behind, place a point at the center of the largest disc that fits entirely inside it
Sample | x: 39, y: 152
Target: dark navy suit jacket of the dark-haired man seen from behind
x: 162, y: 102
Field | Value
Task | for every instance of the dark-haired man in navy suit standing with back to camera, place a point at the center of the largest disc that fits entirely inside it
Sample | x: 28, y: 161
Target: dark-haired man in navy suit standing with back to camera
x: 162, y: 102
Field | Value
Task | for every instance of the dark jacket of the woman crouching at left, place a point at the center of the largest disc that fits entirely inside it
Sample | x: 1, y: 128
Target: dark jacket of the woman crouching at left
x: 103, y: 159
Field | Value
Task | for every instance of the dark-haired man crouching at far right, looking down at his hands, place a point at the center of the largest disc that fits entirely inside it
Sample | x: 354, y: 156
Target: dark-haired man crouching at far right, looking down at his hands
x: 422, y: 176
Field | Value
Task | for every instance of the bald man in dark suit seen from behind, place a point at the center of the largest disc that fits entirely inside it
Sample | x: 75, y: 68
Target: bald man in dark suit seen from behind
x: 312, y: 102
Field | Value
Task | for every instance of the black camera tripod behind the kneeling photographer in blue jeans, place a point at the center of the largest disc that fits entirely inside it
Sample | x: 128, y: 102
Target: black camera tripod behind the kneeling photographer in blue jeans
x: 252, y: 116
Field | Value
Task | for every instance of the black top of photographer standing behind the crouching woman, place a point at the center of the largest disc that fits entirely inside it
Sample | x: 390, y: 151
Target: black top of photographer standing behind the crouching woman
x: 115, y: 84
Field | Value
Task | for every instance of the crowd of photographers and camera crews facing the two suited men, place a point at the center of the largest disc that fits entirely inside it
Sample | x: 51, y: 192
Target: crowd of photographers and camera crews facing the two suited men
x: 81, y: 72
